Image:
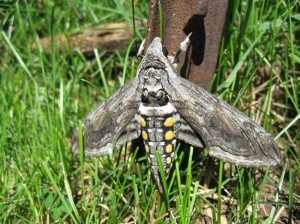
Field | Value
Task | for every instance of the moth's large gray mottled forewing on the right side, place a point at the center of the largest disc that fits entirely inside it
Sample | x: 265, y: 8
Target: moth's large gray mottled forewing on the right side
x: 228, y: 134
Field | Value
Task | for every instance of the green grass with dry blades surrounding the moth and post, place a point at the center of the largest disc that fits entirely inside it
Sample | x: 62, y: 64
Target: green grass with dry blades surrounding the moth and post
x: 43, y: 97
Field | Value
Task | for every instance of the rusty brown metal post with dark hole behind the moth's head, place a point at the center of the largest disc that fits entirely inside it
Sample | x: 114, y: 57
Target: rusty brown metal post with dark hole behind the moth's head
x: 205, y: 19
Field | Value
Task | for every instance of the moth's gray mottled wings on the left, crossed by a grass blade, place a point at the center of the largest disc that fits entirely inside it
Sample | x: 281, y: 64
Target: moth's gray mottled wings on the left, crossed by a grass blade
x: 112, y: 123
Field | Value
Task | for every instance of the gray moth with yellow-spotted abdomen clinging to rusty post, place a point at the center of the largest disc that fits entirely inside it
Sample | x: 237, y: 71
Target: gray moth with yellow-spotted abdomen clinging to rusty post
x: 162, y: 107
